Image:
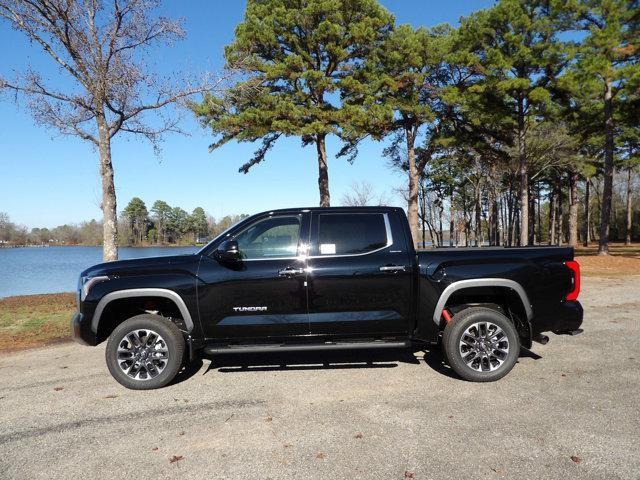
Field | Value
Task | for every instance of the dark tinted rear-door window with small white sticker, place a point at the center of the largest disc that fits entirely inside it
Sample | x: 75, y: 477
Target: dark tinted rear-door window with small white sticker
x: 351, y: 233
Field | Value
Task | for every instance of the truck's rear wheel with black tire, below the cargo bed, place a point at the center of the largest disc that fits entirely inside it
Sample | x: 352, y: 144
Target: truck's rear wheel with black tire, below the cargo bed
x: 487, y: 364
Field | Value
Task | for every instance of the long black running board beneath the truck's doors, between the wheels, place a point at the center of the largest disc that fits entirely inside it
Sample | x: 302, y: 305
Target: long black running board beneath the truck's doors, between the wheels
x: 284, y: 347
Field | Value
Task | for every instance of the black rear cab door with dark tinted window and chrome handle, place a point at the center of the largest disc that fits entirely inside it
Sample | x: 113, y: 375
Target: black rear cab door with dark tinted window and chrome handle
x: 359, y: 274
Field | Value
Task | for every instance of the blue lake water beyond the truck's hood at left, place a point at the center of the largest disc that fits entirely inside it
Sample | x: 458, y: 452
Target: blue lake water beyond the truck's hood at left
x: 25, y: 271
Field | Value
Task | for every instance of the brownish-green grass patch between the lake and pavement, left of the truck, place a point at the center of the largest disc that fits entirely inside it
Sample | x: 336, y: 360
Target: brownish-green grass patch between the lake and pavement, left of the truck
x: 35, y: 320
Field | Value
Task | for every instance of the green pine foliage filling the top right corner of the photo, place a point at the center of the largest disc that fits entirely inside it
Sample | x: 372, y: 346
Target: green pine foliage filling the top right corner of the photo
x: 608, y: 53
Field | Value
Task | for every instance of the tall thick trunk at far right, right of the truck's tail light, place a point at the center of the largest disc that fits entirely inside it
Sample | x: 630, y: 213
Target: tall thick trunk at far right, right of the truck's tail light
x: 605, y: 212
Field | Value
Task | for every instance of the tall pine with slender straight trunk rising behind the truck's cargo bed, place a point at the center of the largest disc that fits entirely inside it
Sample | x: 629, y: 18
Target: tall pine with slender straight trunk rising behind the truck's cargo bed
x: 519, y: 55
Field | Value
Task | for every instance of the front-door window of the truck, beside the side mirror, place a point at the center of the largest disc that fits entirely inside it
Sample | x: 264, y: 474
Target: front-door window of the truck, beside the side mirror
x: 272, y: 237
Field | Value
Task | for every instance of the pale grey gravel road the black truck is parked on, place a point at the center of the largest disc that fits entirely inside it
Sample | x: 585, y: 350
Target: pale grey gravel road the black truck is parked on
x: 571, y: 410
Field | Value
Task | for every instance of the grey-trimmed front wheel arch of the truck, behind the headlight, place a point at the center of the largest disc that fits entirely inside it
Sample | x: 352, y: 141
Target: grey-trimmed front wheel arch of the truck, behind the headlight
x: 123, y: 303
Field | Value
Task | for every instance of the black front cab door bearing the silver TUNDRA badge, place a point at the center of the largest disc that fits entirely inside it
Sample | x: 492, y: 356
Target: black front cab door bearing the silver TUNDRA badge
x: 262, y: 295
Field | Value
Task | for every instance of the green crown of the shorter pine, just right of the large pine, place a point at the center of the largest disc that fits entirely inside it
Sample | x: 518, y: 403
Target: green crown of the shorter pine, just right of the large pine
x: 398, y: 89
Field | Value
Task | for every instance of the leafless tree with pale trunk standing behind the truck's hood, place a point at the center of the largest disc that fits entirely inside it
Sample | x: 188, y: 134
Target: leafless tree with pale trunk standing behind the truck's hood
x: 100, y: 47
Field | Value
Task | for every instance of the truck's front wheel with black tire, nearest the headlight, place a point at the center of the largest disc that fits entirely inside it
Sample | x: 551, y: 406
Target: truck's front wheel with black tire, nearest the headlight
x: 170, y: 344
